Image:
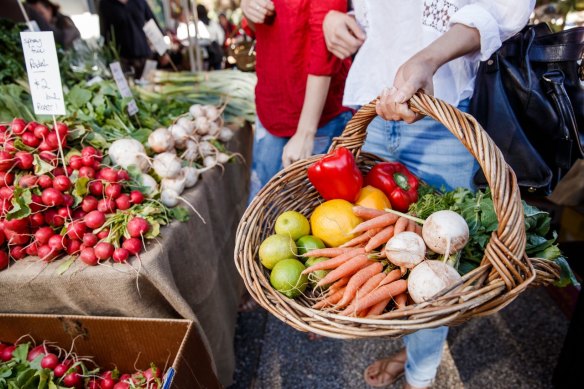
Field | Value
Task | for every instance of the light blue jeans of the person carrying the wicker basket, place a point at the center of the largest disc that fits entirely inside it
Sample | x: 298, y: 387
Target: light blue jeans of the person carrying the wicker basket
x: 435, y: 155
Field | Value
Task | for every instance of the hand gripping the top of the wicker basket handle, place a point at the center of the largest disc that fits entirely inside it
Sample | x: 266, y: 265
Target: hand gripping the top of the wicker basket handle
x: 415, y: 74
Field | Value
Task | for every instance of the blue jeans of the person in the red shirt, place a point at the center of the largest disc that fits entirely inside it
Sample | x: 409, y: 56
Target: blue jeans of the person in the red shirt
x: 268, y: 149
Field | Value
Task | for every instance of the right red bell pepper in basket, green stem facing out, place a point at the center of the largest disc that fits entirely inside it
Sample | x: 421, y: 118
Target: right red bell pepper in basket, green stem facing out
x: 397, y: 182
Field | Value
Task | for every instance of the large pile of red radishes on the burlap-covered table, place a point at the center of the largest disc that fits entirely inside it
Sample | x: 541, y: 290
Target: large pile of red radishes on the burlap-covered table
x: 49, y: 209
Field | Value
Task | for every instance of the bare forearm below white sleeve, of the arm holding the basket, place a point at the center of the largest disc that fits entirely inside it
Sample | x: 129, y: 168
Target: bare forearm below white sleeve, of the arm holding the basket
x: 456, y: 42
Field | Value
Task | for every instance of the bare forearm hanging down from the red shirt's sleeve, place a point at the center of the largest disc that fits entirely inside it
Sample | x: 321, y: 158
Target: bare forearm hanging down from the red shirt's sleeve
x: 314, y: 100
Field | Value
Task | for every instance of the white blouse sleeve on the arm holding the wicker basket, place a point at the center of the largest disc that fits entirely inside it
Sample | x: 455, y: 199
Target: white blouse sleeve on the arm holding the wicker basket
x: 496, y: 20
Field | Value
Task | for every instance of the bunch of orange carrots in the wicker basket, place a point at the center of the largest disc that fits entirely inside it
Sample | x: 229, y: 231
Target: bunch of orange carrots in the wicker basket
x: 360, y: 283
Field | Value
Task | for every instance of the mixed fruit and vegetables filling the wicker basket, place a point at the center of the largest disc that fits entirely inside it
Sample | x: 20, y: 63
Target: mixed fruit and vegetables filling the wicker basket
x: 360, y: 254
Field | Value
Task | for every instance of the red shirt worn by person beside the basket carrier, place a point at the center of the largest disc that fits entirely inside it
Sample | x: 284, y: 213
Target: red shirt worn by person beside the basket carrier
x: 287, y: 52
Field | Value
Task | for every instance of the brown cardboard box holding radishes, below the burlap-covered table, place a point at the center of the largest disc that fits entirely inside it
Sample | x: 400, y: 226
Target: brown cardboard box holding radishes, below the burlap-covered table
x: 125, y: 342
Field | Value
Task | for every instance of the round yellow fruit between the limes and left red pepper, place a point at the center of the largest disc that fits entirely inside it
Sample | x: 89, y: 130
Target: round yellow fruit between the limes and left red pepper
x: 333, y: 221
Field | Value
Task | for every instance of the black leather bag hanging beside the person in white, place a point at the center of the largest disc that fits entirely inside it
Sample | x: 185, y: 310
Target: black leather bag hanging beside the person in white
x: 529, y: 97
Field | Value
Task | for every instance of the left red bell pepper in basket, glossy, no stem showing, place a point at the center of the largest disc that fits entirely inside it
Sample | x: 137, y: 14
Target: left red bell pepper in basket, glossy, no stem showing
x: 336, y: 176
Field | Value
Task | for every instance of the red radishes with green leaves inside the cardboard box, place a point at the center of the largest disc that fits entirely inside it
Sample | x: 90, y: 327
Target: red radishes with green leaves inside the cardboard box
x: 47, y: 366
